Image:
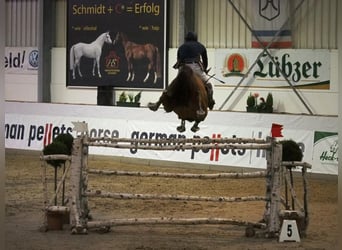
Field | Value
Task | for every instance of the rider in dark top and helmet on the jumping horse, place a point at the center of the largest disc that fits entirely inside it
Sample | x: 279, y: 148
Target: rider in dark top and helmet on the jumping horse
x: 194, y: 54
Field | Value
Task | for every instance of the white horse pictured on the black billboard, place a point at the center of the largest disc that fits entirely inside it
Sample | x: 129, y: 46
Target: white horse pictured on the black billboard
x: 90, y: 50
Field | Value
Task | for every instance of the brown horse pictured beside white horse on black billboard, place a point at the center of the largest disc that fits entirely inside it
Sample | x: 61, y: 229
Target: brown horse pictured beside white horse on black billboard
x: 134, y: 52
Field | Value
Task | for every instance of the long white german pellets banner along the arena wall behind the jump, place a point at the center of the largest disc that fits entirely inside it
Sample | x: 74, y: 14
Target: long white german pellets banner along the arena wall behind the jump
x: 27, y: 128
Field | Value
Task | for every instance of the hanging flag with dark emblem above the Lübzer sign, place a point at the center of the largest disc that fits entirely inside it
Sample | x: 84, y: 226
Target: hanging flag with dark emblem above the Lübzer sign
x: 269, y: 16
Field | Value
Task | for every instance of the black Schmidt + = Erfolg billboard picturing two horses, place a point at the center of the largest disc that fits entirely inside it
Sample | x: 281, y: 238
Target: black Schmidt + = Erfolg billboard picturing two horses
x: 116, y: 43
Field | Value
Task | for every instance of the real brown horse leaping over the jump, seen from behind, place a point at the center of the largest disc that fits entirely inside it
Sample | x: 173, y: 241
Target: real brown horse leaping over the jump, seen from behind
x: 187, y: 97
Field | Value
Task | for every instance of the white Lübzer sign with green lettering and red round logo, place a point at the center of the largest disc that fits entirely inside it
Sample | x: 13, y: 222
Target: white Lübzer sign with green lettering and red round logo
x: 308, y: 69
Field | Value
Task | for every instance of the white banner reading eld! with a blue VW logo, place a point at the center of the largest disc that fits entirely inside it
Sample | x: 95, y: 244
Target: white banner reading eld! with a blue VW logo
x: 21, y: 60
